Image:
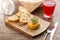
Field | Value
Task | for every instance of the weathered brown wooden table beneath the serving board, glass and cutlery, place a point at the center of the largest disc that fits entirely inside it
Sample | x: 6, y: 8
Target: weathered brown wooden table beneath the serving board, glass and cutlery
x: 7, y: 33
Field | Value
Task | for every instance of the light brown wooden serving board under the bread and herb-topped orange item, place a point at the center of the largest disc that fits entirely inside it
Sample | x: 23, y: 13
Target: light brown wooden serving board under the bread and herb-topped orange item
x: 25, y: 30
